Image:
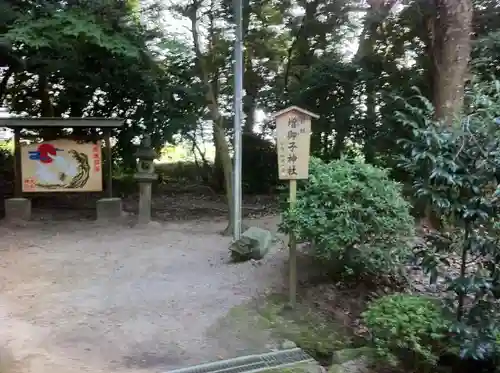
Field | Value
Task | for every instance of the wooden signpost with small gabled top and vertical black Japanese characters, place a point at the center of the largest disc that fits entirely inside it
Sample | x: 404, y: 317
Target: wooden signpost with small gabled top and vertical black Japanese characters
x: 293, y: 137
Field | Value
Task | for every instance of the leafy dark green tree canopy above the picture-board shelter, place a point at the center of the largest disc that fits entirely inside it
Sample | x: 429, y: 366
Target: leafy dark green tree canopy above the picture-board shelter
x: 99, y: 59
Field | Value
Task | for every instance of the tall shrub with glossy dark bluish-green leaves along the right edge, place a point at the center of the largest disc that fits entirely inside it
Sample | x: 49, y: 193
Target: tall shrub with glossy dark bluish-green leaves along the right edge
x: 456, y: 170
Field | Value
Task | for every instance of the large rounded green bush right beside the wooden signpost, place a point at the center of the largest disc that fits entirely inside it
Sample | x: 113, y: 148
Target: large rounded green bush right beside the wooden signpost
x: 353, y: 214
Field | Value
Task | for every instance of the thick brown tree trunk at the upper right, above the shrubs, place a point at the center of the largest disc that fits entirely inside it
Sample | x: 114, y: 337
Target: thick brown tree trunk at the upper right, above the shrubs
x: 451, y: 48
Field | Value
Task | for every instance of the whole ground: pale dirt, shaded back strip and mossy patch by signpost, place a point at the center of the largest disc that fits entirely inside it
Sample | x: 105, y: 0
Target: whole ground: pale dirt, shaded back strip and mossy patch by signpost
x: 80, y: 297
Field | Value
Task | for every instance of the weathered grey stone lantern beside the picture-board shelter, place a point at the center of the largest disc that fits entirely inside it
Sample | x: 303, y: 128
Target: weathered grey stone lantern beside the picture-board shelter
x: 145, y: 176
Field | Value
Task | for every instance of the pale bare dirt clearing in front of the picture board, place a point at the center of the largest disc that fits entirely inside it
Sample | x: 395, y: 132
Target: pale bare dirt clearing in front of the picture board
x: 79, y: 297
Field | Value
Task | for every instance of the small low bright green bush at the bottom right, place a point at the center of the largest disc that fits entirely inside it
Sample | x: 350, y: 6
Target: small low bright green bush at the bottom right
x: 407, y: 330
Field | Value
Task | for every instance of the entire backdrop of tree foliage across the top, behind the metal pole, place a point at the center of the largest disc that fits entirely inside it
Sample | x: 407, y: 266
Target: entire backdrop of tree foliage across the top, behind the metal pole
x: 111, y: 58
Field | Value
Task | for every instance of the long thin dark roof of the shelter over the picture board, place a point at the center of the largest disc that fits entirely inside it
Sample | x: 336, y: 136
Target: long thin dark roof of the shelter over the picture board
x: 28, y: 122
